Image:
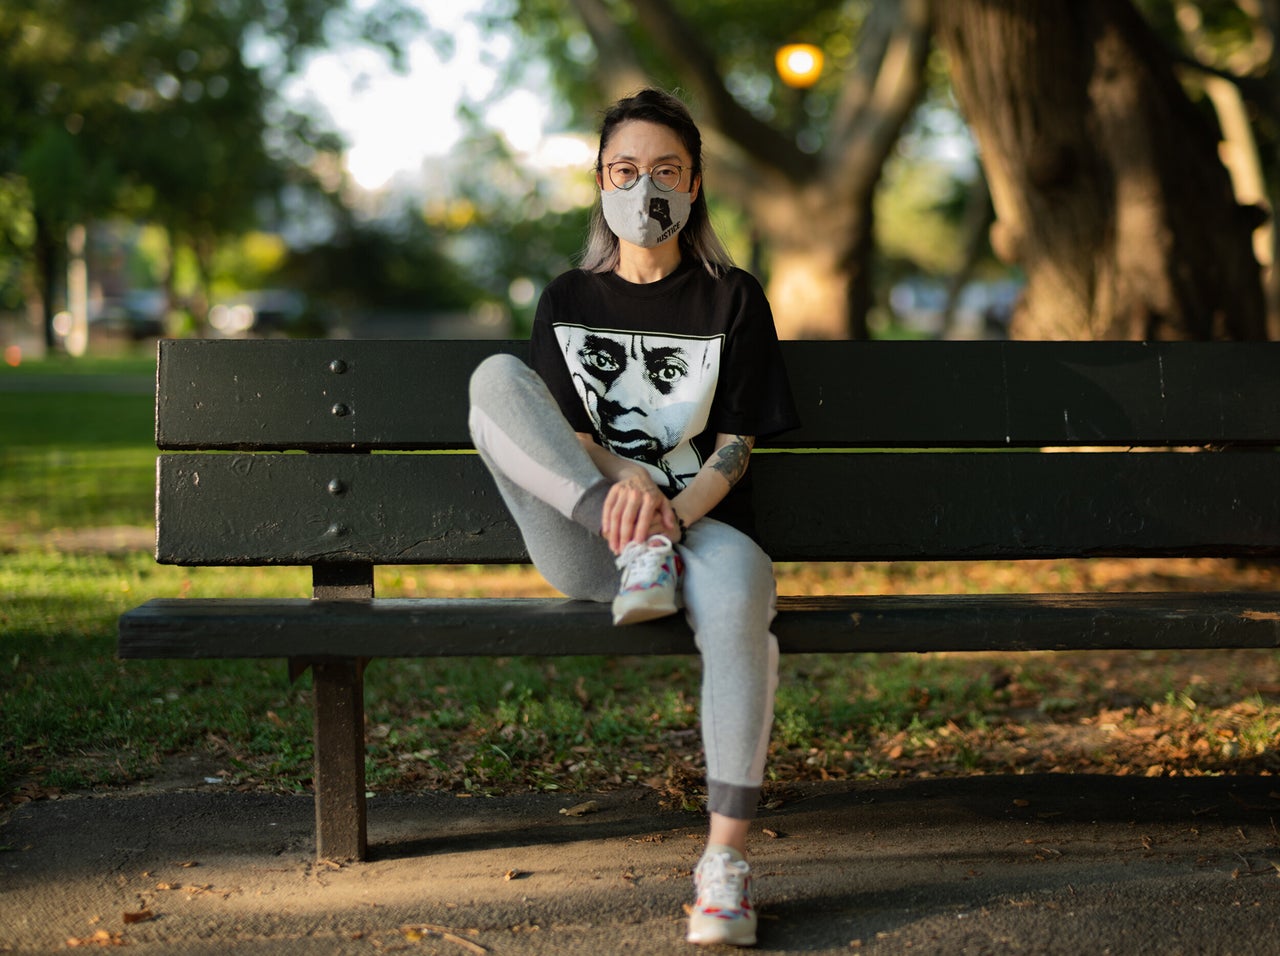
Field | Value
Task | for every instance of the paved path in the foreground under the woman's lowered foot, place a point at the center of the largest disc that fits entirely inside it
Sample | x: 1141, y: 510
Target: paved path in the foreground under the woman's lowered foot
x: 1046, y: 864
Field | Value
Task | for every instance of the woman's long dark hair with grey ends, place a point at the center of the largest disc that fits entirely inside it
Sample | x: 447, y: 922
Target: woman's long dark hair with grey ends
x: 698, y: 240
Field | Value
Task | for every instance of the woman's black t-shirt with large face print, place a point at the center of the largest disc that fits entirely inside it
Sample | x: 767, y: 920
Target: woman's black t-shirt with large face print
x: 657, y: 370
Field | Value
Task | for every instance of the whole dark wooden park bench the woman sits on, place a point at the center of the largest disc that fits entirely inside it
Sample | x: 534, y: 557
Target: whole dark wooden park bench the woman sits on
x: 921, y: 452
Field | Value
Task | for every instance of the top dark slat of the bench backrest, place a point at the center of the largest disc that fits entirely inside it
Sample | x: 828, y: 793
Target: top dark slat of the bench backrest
x: 232, y: 395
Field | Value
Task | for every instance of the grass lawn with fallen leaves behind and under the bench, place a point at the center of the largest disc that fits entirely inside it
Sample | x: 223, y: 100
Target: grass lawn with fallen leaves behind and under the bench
x: 76, y: 498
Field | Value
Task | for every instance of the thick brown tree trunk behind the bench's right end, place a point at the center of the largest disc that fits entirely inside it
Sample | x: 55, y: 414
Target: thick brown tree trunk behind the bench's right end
x: 1105, y: 179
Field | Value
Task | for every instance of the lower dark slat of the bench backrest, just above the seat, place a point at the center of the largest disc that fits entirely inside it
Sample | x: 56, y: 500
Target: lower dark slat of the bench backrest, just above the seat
x: 444, y: 509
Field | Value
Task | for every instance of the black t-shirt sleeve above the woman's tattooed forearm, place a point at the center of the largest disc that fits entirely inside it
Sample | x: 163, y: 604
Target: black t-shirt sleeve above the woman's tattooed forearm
x: 755, y: 397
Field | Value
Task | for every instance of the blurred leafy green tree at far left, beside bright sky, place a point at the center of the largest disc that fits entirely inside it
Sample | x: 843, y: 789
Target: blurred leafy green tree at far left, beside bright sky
x: 164, y: 112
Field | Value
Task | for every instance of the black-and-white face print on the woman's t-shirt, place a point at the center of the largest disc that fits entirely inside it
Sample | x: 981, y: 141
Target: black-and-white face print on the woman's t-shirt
x: 648, y: 396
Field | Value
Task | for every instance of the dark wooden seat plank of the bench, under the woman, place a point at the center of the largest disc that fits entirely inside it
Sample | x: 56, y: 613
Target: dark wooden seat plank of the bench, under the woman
x: 532, y: 626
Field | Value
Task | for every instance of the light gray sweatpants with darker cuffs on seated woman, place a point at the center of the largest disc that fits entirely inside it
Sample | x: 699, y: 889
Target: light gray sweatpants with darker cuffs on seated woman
x: 556, y: 493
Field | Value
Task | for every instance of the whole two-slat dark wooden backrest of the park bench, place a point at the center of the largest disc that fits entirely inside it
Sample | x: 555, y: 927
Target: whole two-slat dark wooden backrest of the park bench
x: 909, y: 451
